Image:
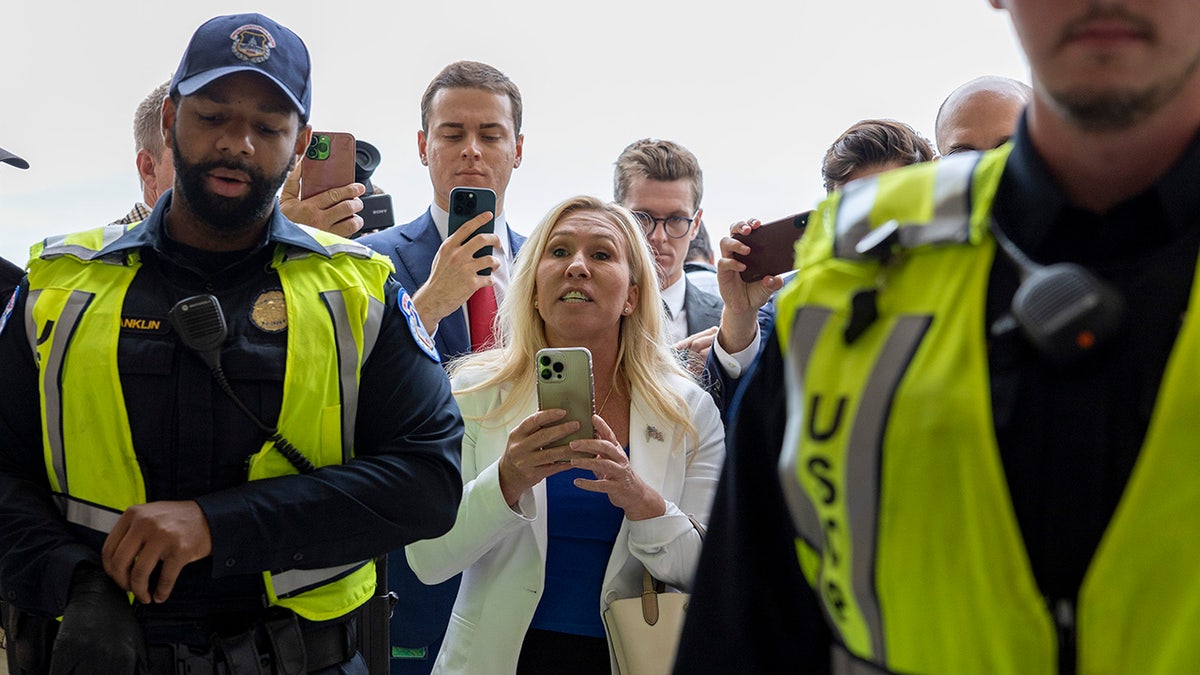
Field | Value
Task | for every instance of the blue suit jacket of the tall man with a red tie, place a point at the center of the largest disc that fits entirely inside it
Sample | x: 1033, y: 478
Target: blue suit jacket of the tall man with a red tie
x: 422, y: 613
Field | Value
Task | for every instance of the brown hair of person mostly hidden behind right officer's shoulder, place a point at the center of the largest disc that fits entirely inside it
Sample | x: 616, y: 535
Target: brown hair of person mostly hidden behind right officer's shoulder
x: 872, y: 144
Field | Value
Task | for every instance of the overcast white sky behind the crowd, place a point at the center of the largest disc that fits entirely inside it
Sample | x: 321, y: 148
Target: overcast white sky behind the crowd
x: 758, y: 89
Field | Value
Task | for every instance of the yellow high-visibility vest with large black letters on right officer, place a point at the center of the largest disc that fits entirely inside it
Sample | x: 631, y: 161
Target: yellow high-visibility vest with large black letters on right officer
x: 892, y: 470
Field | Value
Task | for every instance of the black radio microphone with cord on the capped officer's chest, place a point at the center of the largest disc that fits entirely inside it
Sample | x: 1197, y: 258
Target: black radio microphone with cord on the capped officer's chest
x: 202, y: 328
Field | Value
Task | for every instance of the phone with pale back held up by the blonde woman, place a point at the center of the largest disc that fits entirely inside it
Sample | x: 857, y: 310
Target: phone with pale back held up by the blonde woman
x: 565, y: 381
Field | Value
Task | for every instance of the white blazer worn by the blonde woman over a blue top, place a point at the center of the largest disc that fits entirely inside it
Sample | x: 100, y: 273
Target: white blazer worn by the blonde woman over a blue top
x: 503, y: 552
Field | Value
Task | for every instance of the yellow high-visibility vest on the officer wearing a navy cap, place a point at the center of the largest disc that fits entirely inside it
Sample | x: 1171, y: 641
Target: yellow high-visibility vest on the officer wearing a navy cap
x: 74, y: 316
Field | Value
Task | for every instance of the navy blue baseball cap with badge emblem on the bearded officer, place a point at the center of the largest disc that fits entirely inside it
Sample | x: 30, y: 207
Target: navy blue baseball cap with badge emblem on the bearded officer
x: 247, y: 43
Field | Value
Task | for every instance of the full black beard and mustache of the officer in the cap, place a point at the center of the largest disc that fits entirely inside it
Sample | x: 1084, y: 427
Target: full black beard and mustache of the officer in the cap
x: 220, y: 213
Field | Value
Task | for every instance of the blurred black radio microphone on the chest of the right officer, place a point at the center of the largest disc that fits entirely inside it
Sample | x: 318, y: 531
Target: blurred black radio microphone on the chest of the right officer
x: 1064, y: 310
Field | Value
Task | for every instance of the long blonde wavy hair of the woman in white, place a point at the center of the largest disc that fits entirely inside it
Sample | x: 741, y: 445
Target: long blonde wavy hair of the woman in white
x: 644, y: 353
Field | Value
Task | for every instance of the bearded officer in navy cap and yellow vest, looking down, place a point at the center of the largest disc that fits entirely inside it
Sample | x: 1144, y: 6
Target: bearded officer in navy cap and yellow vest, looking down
x: 219, y: 413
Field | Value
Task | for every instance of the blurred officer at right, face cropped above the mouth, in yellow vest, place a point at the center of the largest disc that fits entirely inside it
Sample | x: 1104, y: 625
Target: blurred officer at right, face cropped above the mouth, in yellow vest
x: 987, y: 461
